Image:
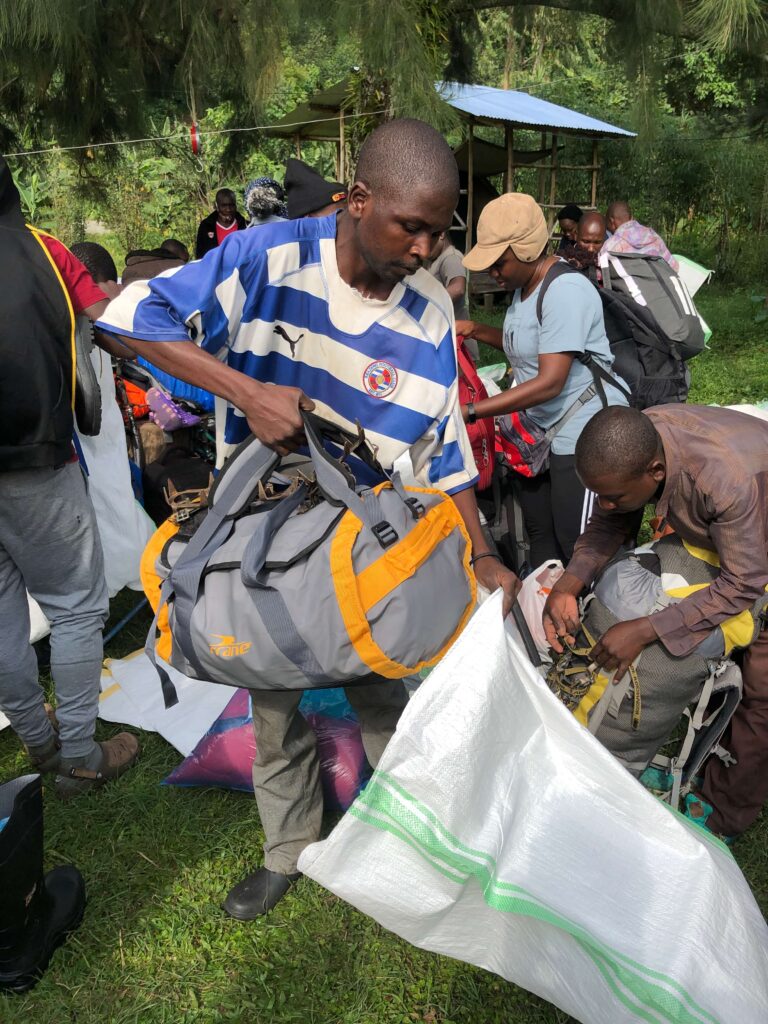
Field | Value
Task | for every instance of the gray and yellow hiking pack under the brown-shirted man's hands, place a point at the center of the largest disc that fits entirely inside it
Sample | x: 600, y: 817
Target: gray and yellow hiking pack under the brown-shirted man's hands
x: 636, y: 717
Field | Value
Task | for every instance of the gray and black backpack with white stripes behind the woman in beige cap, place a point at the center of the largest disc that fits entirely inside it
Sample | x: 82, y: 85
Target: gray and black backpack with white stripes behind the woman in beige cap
x: 651, y: 322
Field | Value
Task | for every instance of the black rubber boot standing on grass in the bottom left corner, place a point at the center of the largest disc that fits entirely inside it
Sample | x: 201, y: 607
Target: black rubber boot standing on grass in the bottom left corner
x: 36, y: 913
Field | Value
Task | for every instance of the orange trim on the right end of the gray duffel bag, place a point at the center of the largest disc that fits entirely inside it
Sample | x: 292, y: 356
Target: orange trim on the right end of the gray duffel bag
x: 357, y: 599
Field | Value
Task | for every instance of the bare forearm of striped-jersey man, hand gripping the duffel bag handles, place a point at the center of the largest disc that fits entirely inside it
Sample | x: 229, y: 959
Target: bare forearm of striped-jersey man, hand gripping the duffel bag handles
x: 272, y: 411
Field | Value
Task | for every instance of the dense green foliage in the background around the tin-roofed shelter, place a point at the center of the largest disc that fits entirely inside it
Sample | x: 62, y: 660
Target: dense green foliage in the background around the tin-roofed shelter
x: 697, y: 172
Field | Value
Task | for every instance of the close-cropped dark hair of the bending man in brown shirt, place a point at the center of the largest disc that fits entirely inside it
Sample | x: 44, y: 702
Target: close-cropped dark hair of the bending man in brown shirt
x: 617, y: 443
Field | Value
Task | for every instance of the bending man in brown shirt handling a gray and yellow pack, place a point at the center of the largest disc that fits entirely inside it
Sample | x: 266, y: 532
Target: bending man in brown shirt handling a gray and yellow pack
x: 707, y: 472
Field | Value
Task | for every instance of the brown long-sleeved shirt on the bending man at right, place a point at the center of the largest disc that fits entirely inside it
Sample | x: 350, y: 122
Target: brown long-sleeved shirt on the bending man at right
x: 715, y: 497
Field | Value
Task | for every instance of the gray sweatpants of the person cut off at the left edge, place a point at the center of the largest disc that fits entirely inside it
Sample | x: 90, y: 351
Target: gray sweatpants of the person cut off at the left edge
x: 50, y: 545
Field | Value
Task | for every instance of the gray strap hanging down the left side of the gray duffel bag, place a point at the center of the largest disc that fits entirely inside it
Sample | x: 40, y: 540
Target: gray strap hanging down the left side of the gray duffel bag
x: 249, y: 464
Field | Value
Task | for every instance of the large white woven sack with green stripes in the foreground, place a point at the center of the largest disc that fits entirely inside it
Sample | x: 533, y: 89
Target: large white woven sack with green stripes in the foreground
x: 499, y: 832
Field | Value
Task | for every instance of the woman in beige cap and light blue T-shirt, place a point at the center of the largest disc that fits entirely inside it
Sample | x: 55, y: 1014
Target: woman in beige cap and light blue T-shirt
x: 549, y: 346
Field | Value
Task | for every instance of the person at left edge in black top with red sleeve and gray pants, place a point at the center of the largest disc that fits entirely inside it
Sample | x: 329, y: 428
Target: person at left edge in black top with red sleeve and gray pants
x: 50, y: 544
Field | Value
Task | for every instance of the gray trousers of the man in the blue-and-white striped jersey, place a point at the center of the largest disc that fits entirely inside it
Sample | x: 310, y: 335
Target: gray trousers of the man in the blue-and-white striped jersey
x: 286, y: 771
